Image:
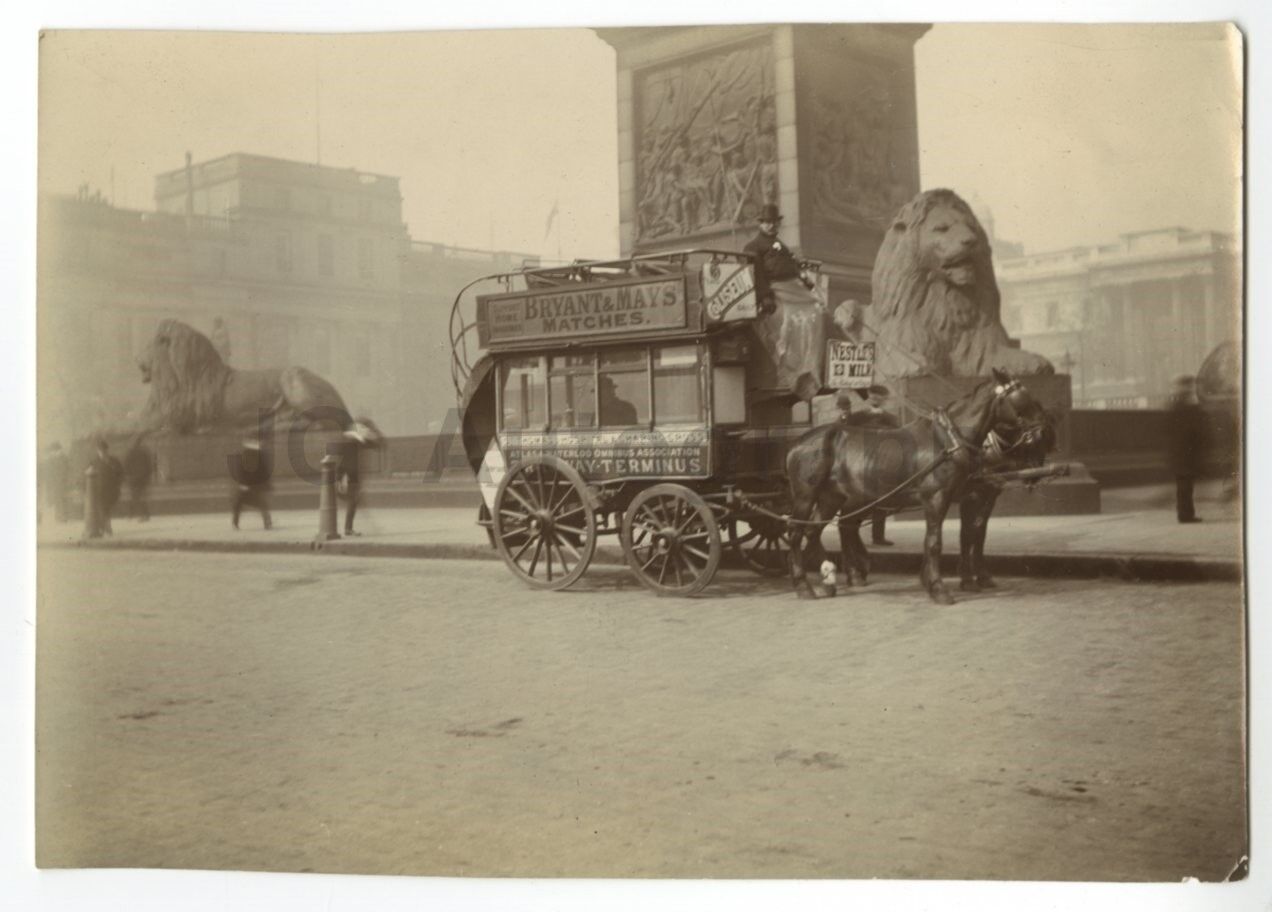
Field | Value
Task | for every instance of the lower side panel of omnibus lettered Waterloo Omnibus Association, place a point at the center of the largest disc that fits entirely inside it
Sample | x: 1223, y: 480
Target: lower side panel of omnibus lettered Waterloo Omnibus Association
x: 601, y: 455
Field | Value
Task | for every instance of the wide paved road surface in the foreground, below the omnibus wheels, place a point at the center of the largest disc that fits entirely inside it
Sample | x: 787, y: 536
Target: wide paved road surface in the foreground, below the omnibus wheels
x: 363, y: 715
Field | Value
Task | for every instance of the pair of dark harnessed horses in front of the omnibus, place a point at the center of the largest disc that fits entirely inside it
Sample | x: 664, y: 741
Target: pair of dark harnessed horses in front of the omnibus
x: 840, y: 469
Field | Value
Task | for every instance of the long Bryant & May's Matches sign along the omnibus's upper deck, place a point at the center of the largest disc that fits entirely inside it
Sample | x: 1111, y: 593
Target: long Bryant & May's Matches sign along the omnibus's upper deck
x: 593, y: 310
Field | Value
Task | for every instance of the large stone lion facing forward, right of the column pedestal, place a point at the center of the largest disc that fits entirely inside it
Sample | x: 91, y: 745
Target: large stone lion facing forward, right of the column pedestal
x: 936, y: 307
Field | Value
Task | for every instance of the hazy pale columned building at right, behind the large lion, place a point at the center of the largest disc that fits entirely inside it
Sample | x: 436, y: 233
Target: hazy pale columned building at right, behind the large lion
x: 1126, y: 319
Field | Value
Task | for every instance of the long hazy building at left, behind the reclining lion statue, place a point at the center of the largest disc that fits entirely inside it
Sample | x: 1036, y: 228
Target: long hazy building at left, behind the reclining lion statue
x: 279, y: 263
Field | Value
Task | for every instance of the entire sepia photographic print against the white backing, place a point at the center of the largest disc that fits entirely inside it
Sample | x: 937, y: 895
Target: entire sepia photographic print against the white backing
x: 699, y: 452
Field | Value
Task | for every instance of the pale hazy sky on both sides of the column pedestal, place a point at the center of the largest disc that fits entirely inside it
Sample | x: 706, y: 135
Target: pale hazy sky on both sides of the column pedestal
x: 1069, y: 134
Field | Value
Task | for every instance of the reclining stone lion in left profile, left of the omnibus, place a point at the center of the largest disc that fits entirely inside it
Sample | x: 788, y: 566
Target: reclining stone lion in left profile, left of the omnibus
x: 193, y: 390
